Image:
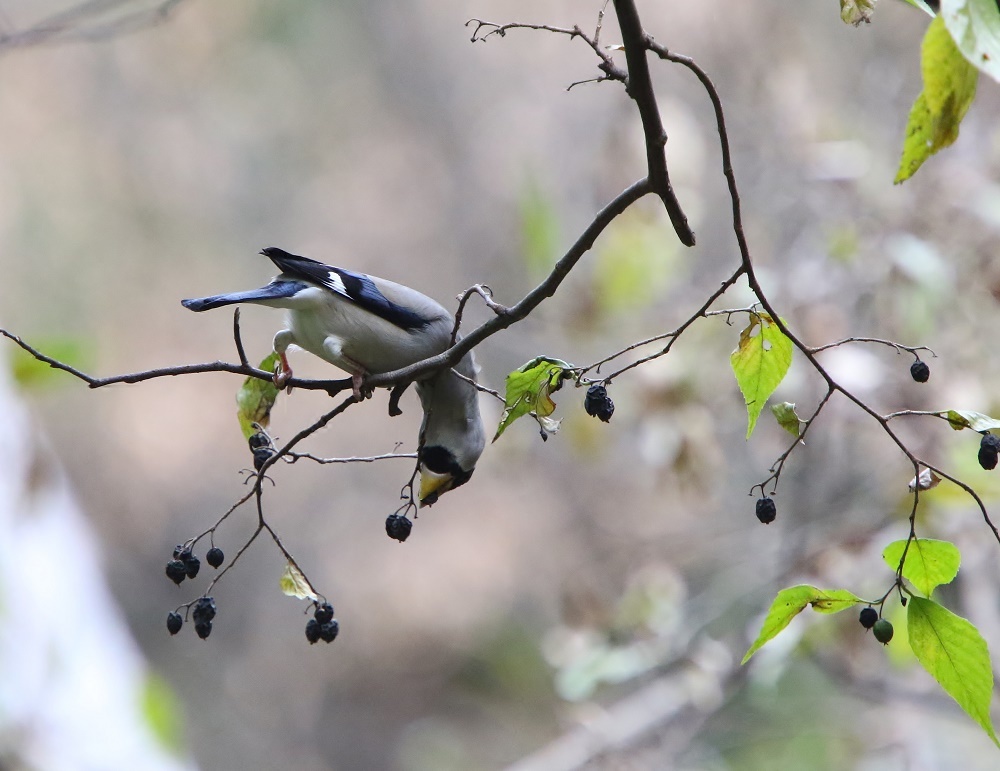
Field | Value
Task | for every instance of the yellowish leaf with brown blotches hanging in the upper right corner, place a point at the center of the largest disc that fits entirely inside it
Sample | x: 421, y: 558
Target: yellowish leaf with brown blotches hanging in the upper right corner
x: 949, y: 88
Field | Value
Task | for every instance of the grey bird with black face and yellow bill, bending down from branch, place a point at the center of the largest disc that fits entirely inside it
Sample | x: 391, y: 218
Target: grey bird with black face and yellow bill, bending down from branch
x: 368, y: 325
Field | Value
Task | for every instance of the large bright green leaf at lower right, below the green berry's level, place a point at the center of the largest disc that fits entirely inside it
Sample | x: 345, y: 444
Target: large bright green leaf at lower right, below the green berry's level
x: 955, y: 654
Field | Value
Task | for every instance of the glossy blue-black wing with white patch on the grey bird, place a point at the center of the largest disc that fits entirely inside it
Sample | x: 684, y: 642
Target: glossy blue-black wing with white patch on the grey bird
x: 408, y: 309
